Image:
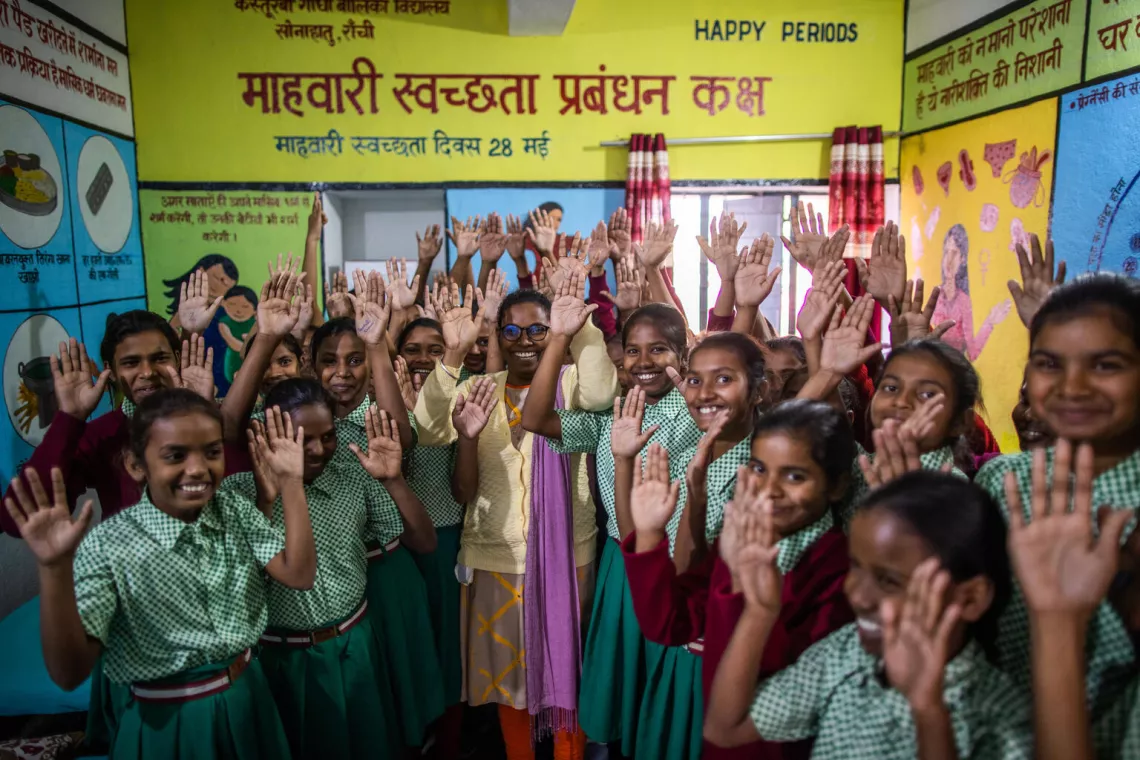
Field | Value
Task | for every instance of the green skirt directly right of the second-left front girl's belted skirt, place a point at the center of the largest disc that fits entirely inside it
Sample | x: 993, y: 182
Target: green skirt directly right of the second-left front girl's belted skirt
x: 398, y: 609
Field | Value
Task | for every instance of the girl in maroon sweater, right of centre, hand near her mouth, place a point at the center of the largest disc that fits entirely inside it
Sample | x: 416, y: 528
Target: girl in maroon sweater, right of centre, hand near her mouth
x: 801, y: 460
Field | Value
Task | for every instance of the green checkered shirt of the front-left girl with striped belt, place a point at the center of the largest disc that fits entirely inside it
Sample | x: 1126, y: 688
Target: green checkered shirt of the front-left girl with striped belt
x: 165, y: 596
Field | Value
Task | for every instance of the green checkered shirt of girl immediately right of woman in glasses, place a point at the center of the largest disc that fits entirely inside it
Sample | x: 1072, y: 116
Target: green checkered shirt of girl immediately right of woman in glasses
x: 589, y: 432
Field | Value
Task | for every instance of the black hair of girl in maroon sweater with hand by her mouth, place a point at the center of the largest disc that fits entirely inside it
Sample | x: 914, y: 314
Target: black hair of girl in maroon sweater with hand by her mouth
x: 821, y: 427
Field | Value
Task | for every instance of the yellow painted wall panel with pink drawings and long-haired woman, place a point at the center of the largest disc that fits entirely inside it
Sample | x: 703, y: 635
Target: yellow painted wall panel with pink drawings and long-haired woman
x: 971, y: 193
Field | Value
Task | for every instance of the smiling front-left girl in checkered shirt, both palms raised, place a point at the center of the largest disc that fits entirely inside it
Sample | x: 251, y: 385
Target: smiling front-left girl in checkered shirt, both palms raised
x: 170, y: 592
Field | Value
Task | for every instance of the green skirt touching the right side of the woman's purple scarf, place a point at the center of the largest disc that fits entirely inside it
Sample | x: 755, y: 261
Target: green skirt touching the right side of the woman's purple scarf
x: 614, y: 667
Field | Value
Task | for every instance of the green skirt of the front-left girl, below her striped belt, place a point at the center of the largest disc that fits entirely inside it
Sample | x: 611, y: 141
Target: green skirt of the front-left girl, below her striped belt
x: 239, y: 724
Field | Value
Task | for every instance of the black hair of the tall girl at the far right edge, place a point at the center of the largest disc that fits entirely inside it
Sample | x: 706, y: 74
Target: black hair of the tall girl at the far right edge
x: 1092, y: 295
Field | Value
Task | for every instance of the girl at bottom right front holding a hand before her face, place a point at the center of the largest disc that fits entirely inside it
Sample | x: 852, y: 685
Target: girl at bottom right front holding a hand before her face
x: 910, y: 679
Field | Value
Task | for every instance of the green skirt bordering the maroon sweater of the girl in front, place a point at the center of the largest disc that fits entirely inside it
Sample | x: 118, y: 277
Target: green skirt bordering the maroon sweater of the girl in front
x: 672, y: 717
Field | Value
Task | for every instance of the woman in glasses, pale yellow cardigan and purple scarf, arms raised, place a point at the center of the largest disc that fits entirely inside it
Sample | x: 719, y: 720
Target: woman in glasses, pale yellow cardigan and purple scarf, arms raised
x: 522, y: 495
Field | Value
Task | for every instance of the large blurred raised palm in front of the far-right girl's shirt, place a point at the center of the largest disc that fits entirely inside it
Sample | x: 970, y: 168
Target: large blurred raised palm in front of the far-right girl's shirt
x: 1062, y: 566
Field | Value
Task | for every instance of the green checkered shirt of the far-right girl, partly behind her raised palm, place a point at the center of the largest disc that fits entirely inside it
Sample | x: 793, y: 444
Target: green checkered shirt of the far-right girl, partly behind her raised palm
x: 1110, y: 655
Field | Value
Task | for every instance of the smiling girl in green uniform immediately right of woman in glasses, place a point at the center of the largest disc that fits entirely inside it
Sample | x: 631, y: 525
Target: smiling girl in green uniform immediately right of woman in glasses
x: 614, y: 664
